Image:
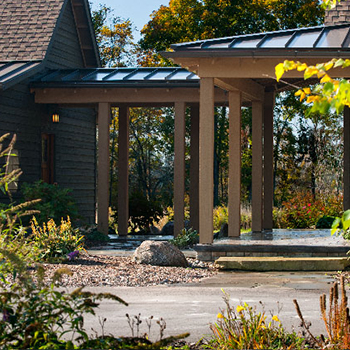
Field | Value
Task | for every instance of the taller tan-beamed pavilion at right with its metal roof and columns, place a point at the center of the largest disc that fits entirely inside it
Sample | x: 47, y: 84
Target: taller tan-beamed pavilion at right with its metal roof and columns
x: 245, y: 66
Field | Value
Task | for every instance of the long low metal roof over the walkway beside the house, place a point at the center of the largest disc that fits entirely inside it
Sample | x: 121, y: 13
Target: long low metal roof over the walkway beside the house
x: 118, y: 77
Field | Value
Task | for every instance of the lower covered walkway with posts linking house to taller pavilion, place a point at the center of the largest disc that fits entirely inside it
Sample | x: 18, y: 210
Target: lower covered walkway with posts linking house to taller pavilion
x: 125, y: 88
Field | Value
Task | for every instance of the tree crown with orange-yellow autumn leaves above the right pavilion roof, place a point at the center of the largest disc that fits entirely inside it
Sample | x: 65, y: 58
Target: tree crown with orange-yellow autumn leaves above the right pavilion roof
x: 190, y: 20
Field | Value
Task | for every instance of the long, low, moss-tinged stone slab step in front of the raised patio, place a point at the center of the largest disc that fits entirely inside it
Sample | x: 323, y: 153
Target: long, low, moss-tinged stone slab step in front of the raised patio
x: 282, y: 264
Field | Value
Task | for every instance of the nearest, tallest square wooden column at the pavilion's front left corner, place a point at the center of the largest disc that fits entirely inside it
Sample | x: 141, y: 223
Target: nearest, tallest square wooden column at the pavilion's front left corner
x: 206, y: 160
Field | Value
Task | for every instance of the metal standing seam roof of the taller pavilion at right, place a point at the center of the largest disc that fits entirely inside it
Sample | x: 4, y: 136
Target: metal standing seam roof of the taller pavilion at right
x: 312, y: 39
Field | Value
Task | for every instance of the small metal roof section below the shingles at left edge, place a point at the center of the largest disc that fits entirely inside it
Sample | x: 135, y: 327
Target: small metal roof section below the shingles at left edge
x: 11, y: 72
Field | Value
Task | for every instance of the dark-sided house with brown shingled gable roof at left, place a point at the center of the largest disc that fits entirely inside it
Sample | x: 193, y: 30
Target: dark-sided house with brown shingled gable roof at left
x: 37, y: 35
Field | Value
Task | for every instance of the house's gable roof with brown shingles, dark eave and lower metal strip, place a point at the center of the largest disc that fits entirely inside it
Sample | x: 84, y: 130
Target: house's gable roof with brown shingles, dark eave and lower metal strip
x: 27, y: 30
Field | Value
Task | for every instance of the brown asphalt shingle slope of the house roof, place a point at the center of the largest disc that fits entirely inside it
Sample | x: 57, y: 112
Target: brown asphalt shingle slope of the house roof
x: 26, y: 27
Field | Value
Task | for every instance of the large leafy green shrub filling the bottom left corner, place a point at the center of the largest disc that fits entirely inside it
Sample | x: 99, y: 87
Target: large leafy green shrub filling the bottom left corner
x: 36, y: 316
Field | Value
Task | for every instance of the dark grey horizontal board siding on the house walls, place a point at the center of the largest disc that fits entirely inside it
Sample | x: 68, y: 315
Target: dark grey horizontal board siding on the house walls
x: 75, y: 134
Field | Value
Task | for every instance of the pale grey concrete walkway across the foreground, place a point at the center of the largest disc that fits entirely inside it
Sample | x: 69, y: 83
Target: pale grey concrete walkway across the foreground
x: 191, y: 308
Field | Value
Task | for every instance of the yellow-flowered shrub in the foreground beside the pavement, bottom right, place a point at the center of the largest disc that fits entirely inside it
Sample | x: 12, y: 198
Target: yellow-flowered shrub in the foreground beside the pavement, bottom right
x: 244, y: 328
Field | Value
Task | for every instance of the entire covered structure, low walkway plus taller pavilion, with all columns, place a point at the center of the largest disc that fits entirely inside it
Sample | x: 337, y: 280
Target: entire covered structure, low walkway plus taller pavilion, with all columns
x: 229, y: 71
